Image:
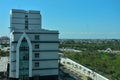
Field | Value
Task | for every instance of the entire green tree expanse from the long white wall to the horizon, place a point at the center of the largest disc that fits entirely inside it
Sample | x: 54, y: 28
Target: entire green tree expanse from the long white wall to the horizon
x: 106, y: 64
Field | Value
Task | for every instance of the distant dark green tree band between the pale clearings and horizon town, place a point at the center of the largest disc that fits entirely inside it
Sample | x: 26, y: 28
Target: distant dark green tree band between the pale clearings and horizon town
x: 114, y: 45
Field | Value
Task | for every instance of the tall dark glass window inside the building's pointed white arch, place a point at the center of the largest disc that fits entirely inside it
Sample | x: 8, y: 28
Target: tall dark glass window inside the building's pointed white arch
x: 24, y: 59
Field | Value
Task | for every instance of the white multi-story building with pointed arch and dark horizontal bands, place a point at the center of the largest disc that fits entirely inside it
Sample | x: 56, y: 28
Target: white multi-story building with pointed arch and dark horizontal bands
x: 33, y: 50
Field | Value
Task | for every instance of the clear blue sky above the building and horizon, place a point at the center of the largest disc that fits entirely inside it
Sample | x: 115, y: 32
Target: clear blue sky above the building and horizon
x: 75, y: 19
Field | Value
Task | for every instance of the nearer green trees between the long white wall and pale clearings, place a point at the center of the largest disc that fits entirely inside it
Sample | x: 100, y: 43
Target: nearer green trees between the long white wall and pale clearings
x: 103, y: 63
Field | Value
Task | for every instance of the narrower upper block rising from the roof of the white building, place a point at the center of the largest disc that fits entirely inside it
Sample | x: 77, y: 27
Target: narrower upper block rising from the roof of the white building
x: 18, y: 19
